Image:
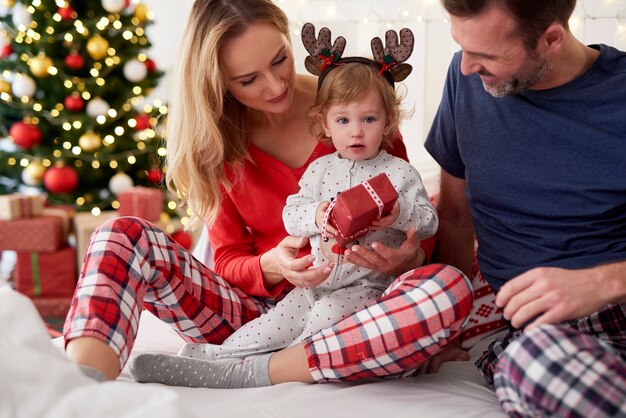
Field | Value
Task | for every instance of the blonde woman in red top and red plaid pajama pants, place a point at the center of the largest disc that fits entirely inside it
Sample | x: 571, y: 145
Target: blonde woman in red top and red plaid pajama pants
x: 238, y: 141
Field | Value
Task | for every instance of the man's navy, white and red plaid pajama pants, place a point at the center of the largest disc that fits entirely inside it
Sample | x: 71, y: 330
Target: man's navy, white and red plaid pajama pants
x: 574, y: 370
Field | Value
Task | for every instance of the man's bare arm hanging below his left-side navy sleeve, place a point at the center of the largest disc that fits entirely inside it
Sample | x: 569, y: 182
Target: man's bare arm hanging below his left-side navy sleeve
x: 455, y: 238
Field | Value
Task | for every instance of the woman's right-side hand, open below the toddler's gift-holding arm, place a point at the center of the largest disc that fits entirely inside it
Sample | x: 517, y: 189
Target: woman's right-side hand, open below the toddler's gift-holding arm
x: 392, y: 261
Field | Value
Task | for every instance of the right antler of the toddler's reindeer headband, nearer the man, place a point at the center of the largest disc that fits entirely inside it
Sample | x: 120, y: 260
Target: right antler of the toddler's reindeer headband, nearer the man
x: 394, y: 54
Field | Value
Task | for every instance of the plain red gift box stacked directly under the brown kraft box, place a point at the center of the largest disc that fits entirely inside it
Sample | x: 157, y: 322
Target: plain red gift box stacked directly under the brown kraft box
x: 40, y: 234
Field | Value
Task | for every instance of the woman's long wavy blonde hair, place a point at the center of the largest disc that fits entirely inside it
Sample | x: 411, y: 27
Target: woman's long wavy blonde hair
x: 206, y: 126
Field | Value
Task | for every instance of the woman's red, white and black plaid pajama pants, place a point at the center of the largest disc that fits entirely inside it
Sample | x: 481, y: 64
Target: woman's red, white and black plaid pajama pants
x: 131, y: 264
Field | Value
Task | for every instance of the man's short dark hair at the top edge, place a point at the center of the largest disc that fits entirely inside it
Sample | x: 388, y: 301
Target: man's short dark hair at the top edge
x: 532, y: 16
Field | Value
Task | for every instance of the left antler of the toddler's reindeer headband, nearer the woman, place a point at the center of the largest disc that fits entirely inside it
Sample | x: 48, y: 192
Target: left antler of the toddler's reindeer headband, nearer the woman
x: 321, y: 52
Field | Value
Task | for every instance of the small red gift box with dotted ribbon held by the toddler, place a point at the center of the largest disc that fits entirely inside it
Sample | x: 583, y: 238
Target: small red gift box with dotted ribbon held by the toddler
x: 356, y: 208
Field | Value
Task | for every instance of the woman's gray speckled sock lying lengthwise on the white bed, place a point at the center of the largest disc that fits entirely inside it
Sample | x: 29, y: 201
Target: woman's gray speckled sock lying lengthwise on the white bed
x: 170, y: 370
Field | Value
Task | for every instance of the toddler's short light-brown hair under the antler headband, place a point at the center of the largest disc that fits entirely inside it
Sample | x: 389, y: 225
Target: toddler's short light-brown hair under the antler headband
x: 349, y: 82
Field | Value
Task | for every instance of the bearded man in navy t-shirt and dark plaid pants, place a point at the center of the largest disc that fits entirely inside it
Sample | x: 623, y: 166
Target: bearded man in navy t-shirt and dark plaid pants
x: 531, y: 138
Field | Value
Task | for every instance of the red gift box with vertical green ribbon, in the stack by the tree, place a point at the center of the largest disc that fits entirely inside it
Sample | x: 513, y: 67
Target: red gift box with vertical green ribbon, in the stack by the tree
x: 46, y: 275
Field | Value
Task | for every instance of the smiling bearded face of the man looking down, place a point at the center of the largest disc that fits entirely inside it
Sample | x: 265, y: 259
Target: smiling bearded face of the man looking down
x: 494, y: 50
